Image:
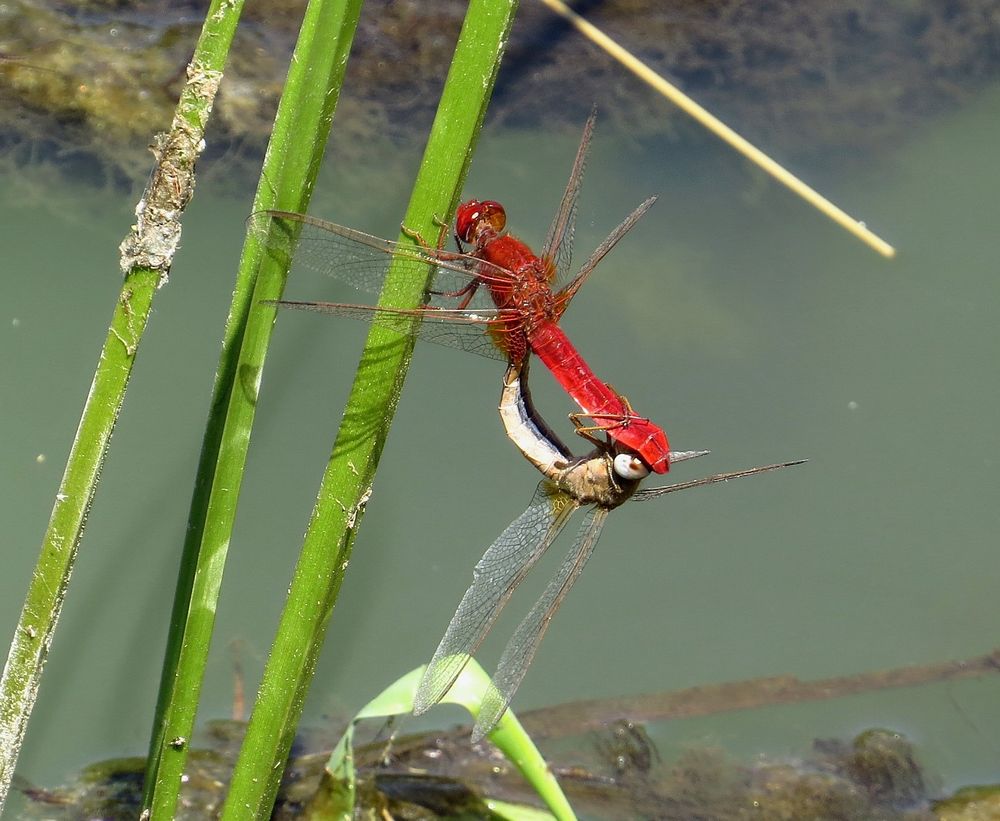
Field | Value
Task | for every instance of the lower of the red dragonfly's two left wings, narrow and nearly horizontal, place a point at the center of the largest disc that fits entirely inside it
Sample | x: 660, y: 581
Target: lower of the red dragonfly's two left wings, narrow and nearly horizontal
x: 474, y: 331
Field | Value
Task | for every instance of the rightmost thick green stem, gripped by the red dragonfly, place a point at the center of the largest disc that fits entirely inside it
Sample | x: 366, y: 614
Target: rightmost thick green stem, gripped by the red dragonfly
x: 347, y: 482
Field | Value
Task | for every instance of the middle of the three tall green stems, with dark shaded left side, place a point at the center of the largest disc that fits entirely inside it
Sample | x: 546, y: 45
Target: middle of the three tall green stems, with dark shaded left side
x: 300, y: 133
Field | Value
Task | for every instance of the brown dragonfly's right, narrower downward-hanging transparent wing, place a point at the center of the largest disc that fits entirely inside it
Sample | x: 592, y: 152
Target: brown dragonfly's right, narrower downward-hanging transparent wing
x: 523, y: 645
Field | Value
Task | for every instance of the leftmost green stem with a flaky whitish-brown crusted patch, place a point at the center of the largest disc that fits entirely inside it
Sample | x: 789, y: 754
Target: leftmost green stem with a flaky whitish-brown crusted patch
x: 146, y: 257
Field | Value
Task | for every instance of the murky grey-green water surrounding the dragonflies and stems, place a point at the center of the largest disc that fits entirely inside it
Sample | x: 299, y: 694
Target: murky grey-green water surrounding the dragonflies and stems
x: 734, y: 316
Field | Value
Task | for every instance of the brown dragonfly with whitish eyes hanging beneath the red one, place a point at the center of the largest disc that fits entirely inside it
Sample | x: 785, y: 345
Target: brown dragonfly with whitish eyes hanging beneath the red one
x: 601, y: 480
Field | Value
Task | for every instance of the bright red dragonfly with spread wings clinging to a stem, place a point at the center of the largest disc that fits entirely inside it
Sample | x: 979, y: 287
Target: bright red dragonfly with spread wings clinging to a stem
x: 518, y: 312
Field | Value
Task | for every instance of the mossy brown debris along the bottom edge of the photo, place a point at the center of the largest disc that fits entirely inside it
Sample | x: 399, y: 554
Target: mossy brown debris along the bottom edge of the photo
x: 875, y: 775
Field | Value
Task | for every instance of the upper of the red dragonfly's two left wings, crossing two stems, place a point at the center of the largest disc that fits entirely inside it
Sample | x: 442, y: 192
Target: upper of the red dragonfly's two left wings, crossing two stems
x: 362, y: 260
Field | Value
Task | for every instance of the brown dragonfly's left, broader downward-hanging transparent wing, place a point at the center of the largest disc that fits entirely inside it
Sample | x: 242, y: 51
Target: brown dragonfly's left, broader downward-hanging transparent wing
x: 501, y: 569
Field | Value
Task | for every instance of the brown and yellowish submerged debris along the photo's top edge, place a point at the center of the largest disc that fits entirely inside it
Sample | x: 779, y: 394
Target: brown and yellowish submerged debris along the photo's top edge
x: 86, y: 92
